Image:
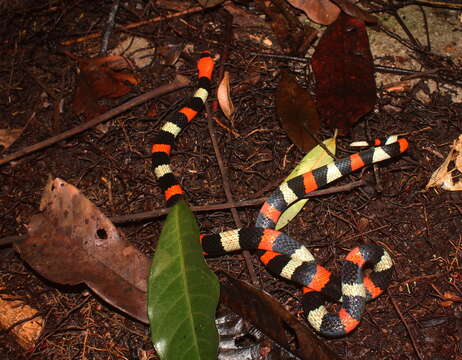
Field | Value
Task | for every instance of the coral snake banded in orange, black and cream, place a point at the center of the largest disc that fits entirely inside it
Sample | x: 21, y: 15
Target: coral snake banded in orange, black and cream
x: 281, y: 254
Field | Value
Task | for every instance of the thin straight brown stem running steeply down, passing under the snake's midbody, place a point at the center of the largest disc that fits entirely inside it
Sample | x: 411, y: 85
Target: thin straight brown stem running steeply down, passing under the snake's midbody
x: 227, y: 188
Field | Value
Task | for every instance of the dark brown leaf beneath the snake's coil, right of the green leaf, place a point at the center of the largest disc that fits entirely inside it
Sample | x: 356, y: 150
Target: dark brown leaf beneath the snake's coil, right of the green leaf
x: 270, y: 316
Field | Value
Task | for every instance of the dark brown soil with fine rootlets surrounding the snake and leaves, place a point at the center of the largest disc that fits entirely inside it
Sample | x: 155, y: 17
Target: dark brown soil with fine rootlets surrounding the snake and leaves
x: 420, y: 316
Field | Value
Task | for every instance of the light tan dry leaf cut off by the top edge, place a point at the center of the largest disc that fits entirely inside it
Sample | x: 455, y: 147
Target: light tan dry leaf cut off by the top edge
x: 321, y: 11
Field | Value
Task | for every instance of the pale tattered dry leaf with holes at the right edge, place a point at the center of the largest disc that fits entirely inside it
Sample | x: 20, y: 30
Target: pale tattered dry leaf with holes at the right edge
x: 444, y: 176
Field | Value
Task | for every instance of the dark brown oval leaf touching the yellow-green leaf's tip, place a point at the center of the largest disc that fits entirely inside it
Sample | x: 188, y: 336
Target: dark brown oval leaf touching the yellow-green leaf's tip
x: 297, y: 112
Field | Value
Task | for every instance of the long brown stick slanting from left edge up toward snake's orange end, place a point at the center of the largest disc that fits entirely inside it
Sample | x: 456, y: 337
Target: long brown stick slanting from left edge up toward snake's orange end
x: 178, y: 83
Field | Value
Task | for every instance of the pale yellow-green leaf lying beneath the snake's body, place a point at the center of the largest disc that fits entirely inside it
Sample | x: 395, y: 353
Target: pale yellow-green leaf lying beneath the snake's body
x: 314, y: 159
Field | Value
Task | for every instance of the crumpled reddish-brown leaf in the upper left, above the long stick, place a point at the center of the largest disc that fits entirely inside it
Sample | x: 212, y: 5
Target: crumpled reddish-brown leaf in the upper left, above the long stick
x: 101, y: 78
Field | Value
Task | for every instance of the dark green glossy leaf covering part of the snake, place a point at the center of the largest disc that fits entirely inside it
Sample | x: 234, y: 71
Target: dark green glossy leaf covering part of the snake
x: 182, y: 292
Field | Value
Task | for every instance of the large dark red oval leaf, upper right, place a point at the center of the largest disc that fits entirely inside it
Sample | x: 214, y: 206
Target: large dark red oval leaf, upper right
x: 344, y: 72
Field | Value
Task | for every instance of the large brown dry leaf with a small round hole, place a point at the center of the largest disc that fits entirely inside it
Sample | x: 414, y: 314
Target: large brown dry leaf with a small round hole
x: 72, y: 242
